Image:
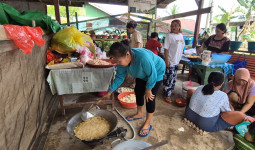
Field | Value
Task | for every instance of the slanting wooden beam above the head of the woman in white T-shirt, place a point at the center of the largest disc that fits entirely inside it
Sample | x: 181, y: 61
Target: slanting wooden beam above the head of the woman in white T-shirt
x: 185, y: 14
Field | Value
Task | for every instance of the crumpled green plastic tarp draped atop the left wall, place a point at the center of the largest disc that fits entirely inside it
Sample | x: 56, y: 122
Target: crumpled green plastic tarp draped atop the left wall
x: 9, y: 15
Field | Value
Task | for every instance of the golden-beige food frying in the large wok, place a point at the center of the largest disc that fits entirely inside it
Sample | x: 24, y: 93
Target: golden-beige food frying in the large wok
x: 93, y: 128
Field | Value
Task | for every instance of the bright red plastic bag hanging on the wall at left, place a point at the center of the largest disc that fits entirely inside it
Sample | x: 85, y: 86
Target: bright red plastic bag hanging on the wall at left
x: 24, y: 36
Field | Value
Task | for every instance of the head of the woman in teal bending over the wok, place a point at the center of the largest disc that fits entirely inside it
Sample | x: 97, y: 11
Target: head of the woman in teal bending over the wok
x: 121, y: 52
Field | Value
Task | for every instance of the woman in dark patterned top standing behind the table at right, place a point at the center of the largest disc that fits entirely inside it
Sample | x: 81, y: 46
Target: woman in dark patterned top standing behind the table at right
x: 217, y: 43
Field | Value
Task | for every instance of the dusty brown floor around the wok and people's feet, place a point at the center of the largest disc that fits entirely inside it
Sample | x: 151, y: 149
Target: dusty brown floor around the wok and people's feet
x: 166, y: 122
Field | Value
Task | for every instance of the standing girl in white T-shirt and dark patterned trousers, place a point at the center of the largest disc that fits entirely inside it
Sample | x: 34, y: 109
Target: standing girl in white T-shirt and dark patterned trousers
x: 173, y: 46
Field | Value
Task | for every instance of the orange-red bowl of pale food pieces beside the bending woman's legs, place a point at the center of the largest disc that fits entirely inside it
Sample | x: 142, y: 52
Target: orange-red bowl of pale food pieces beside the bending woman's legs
x: 127, y: 99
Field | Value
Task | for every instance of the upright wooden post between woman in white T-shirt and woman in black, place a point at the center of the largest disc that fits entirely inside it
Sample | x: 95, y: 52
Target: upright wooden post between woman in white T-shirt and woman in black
x: 197, y: 26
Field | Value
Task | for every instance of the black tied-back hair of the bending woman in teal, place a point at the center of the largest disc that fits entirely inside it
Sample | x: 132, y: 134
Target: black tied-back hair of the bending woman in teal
x: 119, y: 49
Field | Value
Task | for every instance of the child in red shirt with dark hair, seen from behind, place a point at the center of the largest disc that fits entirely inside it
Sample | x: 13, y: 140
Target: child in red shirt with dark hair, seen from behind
x: 153, y: 43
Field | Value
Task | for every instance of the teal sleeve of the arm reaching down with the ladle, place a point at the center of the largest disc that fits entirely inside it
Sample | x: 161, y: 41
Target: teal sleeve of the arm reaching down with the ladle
x: 119, y: 78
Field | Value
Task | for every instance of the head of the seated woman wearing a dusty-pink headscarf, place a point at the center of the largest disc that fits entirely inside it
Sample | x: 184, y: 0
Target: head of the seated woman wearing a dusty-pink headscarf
x: 242, y: 76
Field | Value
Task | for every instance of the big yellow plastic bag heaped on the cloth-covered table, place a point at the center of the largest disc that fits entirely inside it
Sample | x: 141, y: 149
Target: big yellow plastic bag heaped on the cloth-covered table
x: 68, y: 39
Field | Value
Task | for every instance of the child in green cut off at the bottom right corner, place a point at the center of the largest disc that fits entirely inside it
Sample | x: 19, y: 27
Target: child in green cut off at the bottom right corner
x: 246, y: 142
